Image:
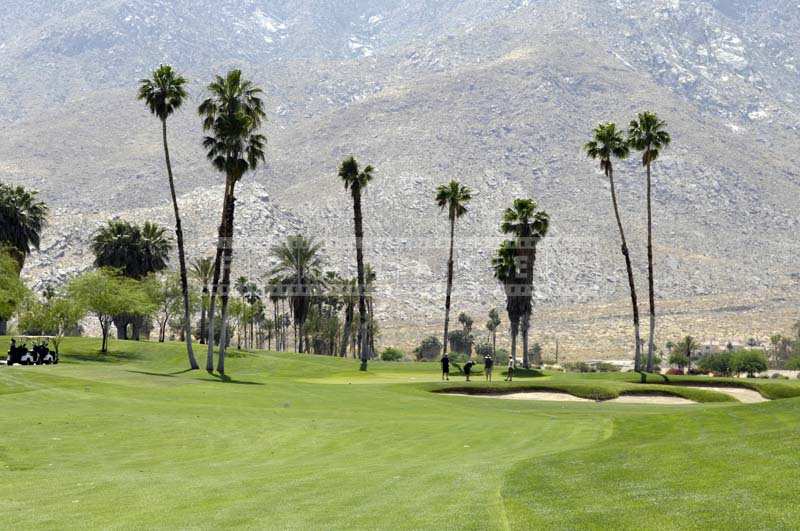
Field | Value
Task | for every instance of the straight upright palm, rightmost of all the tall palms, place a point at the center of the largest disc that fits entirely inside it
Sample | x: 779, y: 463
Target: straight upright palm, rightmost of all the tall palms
x: 647, y: 134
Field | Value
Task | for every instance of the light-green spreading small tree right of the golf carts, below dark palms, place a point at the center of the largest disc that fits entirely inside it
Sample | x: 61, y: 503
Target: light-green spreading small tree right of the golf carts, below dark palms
x: 104, y: 293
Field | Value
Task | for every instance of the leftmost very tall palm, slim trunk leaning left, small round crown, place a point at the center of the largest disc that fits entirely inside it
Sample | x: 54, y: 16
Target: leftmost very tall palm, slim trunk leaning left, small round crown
x: 164, y: 94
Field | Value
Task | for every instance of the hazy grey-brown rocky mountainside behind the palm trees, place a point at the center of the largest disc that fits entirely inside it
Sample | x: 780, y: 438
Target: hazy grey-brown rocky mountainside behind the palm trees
x: 498, y: 94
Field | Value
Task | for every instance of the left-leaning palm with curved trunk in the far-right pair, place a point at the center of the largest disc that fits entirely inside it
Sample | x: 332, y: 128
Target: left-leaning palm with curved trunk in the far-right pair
x: 606, y: 145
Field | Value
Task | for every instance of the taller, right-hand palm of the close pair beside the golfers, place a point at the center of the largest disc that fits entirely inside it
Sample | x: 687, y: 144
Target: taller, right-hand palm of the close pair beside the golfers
x: 529, y: 225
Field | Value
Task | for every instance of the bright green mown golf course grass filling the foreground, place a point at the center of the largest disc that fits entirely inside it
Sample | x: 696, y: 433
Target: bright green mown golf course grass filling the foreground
x: 294, y: 441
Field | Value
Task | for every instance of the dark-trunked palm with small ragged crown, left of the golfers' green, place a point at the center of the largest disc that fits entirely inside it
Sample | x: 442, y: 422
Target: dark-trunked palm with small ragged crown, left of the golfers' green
x: 356, y: 181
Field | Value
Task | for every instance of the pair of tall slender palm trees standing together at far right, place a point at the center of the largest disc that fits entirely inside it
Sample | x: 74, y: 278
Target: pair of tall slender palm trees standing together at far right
x: 647, y: 134
